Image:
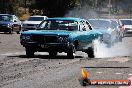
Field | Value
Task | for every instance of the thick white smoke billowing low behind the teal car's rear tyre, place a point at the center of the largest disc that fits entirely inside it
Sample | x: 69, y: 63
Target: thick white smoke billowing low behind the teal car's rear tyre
x: 119, y: 49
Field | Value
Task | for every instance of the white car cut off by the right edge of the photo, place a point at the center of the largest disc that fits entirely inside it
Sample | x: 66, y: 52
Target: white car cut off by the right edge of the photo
x: 126, y: 26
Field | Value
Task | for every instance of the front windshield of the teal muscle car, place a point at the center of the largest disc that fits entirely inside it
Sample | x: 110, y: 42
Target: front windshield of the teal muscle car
x: 69, y: 25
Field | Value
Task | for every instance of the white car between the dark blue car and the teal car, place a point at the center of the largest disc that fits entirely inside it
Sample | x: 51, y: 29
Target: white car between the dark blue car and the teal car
x: 32, y: 22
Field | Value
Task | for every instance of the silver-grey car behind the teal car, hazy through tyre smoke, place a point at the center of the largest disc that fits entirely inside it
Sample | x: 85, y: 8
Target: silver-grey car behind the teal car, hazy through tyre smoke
x: 109, y: 28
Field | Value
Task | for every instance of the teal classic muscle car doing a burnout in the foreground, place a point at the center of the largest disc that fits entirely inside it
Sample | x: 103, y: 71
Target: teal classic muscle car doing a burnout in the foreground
x: 60, y: 35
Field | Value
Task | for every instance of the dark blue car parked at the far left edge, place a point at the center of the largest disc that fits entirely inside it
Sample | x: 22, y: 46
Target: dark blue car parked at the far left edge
x: 9, y: 23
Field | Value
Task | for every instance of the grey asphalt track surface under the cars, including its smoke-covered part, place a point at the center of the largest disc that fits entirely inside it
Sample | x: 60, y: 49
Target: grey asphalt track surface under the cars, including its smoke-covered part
x: 18, y: 71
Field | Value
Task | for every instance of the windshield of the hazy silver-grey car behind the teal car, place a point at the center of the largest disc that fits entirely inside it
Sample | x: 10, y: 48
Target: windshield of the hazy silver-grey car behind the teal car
x: 102, y: 24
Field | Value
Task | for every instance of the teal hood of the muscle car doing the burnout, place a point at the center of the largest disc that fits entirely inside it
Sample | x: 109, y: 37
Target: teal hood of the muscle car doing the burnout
x: 48, y: 32
